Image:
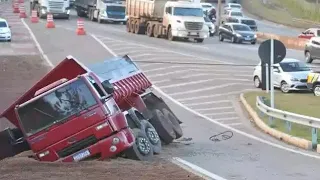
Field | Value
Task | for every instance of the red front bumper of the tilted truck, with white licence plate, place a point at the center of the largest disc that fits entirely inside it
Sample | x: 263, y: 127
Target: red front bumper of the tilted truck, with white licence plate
x: 106, y: 147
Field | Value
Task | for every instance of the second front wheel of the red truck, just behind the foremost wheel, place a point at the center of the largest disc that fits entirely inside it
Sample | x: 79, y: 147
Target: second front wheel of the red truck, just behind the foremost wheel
x: 153, y: 137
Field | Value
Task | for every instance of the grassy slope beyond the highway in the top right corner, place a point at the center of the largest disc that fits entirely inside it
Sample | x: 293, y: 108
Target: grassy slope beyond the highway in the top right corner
x: 285, y: 11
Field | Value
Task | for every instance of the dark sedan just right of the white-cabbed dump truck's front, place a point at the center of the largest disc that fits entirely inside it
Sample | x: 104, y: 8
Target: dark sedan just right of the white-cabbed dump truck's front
x: 237, y: 33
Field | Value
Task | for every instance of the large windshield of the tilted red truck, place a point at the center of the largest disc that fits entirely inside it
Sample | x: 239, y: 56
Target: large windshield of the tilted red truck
x: 55, y: 107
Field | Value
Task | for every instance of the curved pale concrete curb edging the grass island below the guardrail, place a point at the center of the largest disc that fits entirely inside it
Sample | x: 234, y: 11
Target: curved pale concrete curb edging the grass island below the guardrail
x: 299, y: 142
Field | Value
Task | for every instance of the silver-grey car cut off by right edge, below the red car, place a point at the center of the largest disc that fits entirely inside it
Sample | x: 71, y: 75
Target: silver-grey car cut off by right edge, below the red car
x: 312, y: 49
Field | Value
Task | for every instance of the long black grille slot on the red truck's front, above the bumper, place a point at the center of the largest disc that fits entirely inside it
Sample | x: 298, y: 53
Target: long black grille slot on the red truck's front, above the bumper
x: 77, y: 146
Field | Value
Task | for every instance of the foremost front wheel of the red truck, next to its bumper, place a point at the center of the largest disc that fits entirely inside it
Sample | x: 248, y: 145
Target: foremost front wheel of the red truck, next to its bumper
x: 141, y: 149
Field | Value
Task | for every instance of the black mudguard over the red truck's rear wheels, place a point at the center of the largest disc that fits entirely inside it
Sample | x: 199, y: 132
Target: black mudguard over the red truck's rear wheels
x: 154, y: 102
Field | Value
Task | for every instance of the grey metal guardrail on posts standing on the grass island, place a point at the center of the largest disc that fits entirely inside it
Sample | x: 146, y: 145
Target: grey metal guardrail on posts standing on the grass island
x: 289, y: 118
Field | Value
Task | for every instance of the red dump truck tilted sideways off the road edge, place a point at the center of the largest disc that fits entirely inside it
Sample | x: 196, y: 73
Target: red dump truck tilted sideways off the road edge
x: 102, y: 110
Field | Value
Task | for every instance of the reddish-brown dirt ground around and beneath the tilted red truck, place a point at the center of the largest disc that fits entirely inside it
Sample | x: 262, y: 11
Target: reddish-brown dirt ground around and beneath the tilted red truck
x: 17, y: 74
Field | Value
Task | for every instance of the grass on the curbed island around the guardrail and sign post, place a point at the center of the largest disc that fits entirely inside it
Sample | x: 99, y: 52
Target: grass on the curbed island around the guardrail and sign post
x: 305, y: 104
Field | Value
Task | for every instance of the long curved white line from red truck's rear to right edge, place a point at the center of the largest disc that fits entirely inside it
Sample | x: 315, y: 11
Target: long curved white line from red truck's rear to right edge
x: 234, y: 129
